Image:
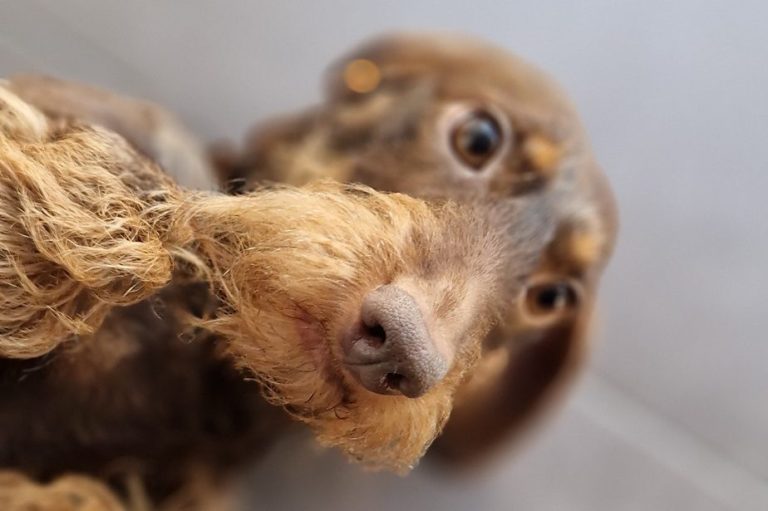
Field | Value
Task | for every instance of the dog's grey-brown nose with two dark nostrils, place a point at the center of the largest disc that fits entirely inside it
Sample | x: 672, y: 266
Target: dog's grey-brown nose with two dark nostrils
x: 392, y: 351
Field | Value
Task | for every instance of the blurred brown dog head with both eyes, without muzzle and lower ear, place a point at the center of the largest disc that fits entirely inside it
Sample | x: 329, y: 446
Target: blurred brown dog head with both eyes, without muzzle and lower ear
x: 438, y: 117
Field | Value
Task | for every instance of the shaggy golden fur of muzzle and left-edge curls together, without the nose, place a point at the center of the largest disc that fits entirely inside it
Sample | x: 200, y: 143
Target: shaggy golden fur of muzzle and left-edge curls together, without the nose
x: 87, y: 224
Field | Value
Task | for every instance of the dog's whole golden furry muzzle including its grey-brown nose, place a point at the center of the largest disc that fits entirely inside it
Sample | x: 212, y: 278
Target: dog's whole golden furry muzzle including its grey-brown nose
x: 362, y: 312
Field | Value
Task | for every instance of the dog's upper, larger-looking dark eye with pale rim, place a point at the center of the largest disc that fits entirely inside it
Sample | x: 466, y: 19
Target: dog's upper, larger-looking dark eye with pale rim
x: 476, y: 138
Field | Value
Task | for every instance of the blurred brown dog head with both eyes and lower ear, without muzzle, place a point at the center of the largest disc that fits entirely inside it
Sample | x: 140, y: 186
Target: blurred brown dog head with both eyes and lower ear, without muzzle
x: 443, y: 117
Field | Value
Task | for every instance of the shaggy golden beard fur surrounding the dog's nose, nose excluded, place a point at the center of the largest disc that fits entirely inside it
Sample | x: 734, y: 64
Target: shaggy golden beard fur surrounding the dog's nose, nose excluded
x: 331, y: 256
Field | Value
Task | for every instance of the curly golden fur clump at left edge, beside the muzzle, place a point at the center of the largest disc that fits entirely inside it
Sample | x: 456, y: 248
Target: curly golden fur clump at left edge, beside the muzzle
x: 75, y: 239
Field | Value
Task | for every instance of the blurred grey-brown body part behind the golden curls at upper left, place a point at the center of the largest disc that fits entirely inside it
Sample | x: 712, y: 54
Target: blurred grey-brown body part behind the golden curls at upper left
x: 149, y: 128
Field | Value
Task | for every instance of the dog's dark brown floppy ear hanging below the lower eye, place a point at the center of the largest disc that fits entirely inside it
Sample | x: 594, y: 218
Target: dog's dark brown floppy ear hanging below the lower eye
x: 507, y: 396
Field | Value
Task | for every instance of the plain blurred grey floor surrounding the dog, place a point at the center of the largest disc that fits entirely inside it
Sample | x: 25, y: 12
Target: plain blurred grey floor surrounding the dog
x: 673, y: 413
